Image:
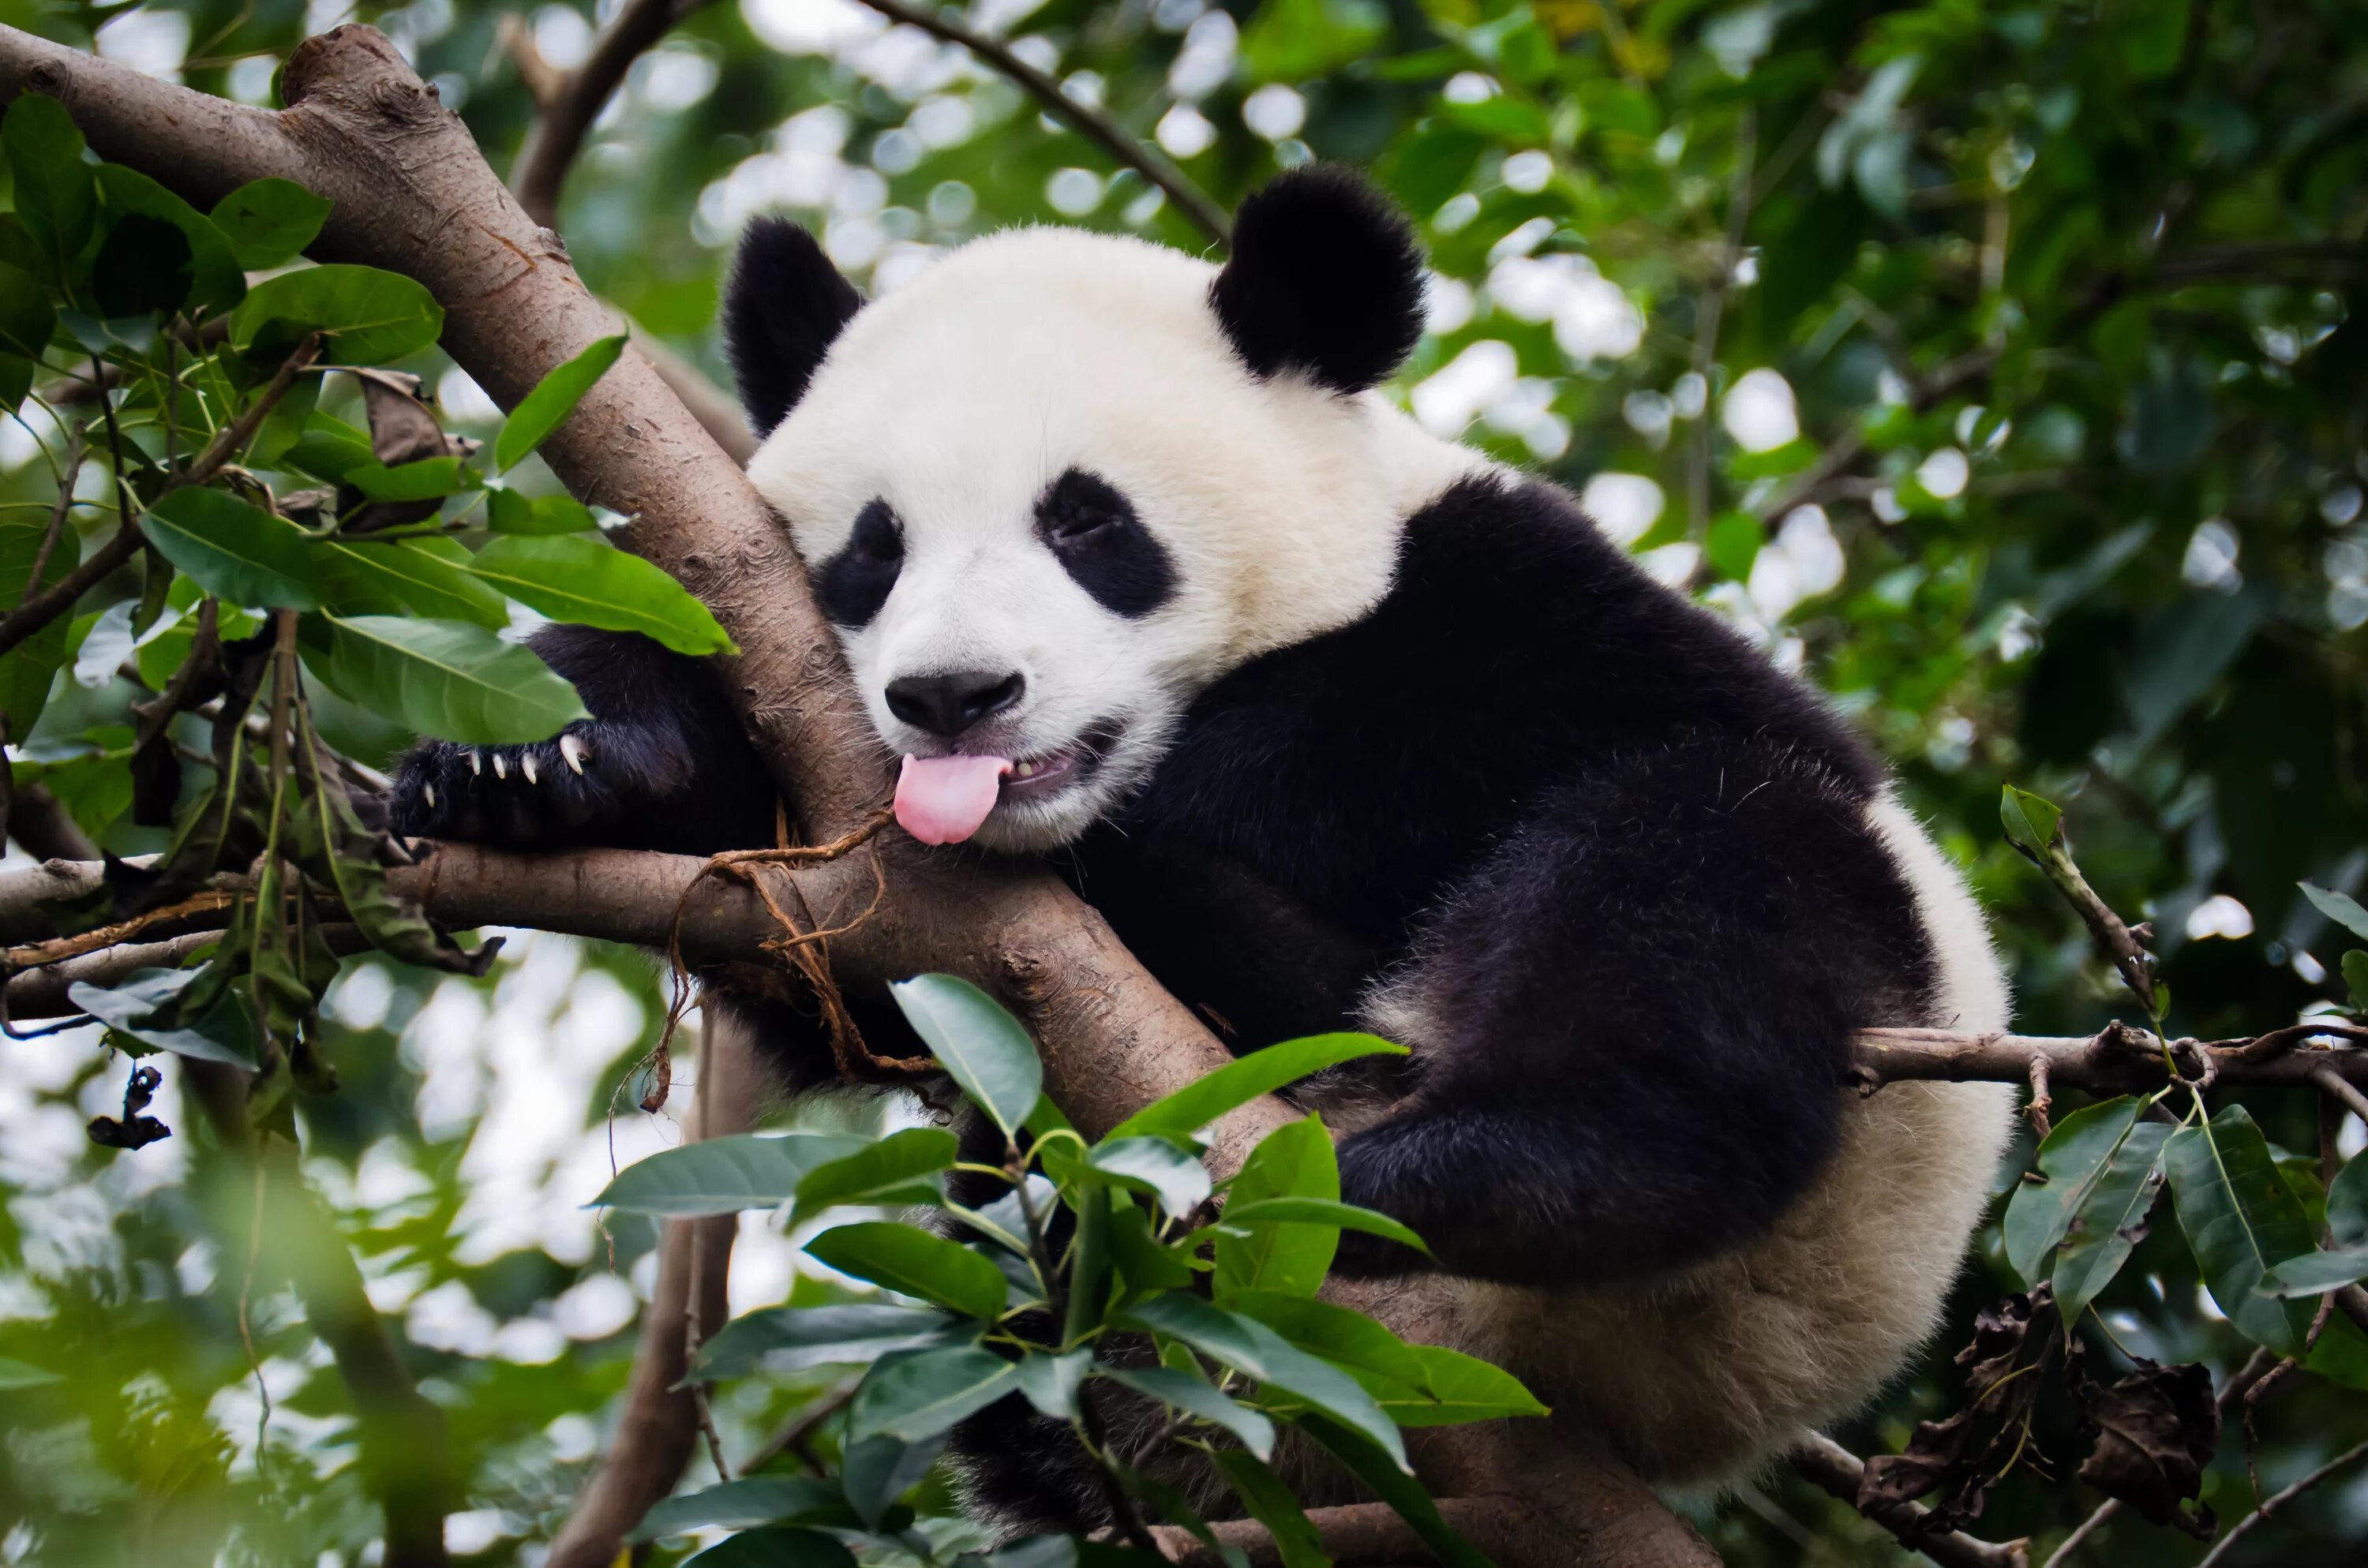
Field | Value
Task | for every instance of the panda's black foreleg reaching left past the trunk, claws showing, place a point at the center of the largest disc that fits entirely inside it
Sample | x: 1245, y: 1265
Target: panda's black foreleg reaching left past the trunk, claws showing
x: 662, y: 764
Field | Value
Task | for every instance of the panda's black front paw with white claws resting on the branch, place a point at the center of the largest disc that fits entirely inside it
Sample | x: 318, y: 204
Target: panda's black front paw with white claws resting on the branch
x: 593, y: 785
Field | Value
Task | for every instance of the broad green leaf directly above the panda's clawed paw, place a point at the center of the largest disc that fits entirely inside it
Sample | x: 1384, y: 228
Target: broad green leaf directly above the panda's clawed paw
x: 446, y: 679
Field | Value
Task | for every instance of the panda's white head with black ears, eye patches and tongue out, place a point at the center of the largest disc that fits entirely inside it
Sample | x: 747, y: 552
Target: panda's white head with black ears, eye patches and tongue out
x: 1060, y: 482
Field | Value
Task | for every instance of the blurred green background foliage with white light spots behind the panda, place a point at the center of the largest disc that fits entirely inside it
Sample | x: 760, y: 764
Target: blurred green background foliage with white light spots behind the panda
x: 2002, y: 366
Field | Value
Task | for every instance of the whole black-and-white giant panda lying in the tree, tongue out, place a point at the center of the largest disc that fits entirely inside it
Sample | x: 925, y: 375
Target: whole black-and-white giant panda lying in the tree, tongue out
x: 1346, y: 726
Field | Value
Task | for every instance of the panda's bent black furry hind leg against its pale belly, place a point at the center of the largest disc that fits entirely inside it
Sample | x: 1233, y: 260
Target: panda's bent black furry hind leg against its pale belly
x: 1640, y: 1015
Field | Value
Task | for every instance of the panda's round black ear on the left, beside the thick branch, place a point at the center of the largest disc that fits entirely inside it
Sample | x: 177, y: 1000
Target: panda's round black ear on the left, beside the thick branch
x: 783, y: 311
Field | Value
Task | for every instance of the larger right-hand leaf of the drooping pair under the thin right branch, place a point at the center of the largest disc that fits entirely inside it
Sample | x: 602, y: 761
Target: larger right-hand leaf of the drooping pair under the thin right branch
x: 2241, y: 1221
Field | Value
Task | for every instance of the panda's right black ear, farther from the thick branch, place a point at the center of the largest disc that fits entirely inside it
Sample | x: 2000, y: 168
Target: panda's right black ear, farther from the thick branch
x: 1327, y: 278
